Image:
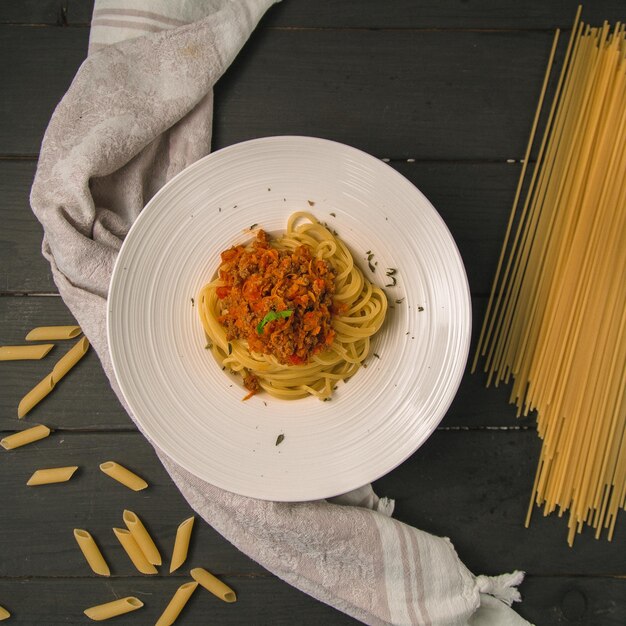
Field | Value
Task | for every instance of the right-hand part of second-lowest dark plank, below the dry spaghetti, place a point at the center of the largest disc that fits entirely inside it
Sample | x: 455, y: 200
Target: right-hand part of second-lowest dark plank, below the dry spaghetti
x: 474, y: 487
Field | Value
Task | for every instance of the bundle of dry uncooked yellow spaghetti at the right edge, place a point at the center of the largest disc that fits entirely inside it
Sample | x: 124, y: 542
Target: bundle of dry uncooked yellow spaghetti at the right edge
x: 556, y: 319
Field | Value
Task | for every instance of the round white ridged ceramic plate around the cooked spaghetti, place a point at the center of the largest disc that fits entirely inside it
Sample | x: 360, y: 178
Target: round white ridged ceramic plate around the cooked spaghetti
x: 193, y: 410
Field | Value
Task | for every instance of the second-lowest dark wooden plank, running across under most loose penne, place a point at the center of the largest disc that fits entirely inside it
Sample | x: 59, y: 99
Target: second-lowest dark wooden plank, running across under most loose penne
x: 471, y: 486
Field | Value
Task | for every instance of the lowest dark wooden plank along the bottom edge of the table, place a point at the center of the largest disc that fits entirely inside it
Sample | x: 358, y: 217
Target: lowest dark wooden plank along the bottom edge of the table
x: 584, y: 601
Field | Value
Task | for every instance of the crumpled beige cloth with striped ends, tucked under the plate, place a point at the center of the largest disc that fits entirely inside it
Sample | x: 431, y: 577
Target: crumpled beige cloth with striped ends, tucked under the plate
x: 138, y: 112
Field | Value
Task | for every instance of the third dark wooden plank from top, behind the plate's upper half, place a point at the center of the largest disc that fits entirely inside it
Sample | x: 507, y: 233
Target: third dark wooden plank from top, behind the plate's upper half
x: 472, y: 198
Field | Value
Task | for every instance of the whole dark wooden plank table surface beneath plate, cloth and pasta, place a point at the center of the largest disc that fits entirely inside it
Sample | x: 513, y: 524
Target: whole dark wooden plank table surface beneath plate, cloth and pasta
x: 446, y: 92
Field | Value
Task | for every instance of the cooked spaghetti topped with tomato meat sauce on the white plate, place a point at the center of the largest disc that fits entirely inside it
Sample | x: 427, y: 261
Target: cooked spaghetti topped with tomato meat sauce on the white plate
x: 292, y: 316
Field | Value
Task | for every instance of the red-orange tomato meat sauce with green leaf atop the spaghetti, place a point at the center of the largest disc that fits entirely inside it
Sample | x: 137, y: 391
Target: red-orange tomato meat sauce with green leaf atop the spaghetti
x: 279, y: 301
